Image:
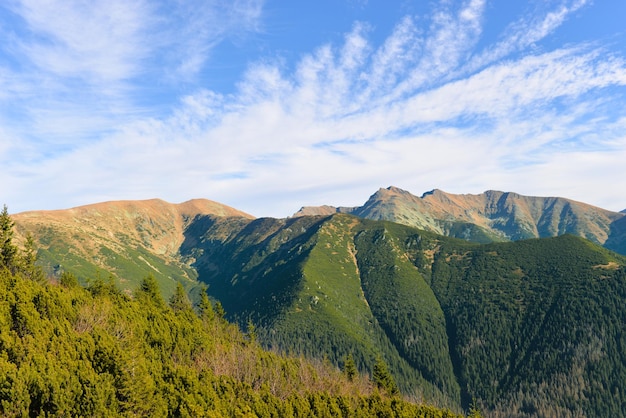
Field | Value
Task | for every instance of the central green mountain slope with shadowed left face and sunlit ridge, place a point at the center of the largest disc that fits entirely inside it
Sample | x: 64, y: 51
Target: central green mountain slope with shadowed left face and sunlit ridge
x: 304, y: 283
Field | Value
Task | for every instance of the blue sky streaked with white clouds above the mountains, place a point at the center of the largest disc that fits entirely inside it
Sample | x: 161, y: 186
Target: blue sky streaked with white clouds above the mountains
x: 268, y: 106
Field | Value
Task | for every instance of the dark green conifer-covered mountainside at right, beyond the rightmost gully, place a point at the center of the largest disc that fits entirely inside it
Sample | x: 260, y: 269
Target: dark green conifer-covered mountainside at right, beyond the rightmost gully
x: 537, y: 326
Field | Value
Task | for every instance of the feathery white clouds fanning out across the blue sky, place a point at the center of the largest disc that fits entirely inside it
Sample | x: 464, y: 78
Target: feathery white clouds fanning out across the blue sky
x: 424, y: 109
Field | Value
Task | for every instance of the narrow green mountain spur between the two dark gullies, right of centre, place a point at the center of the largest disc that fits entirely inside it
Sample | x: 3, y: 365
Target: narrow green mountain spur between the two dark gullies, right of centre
x: 404, y: 304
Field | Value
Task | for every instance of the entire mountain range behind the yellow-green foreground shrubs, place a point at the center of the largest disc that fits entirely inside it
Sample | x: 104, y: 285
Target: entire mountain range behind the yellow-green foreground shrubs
x: 447, y: 289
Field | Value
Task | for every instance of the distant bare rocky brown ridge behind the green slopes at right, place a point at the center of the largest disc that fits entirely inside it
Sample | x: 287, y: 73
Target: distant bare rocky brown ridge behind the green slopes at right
x: 491, y: 216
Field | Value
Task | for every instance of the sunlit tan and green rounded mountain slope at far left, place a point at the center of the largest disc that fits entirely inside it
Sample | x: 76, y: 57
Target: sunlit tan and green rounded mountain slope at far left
x: 127, y: 239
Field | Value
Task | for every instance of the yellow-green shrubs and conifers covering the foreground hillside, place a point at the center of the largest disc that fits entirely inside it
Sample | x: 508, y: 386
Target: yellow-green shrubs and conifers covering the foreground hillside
x: 66, y: 350
